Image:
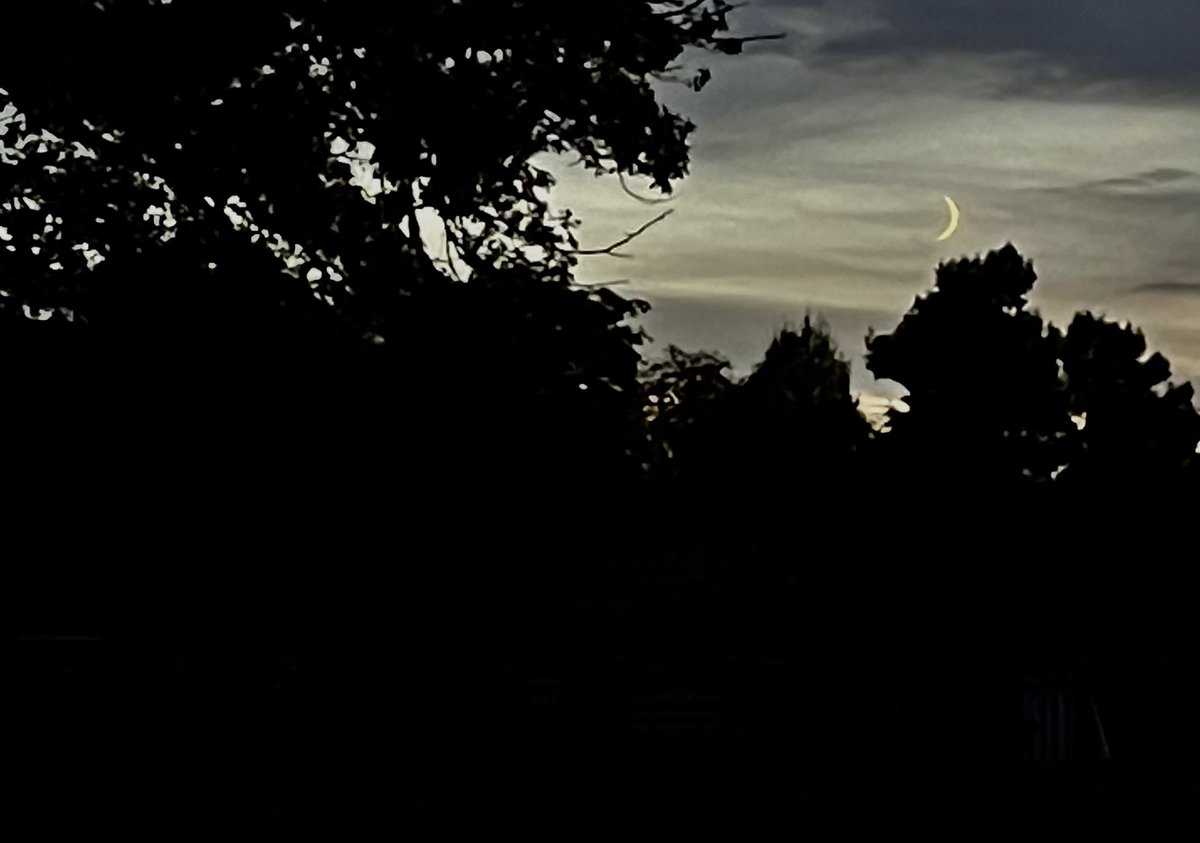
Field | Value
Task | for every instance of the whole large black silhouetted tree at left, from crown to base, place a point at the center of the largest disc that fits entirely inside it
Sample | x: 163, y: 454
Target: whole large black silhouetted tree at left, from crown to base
x: 230, y: 218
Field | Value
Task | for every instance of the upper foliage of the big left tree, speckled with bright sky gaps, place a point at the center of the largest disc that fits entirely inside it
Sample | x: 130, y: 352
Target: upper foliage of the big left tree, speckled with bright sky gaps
x: 433, y: 111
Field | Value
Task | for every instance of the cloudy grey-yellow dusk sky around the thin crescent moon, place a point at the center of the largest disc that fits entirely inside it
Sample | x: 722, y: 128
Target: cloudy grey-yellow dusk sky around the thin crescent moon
x: 1069, y: 128
